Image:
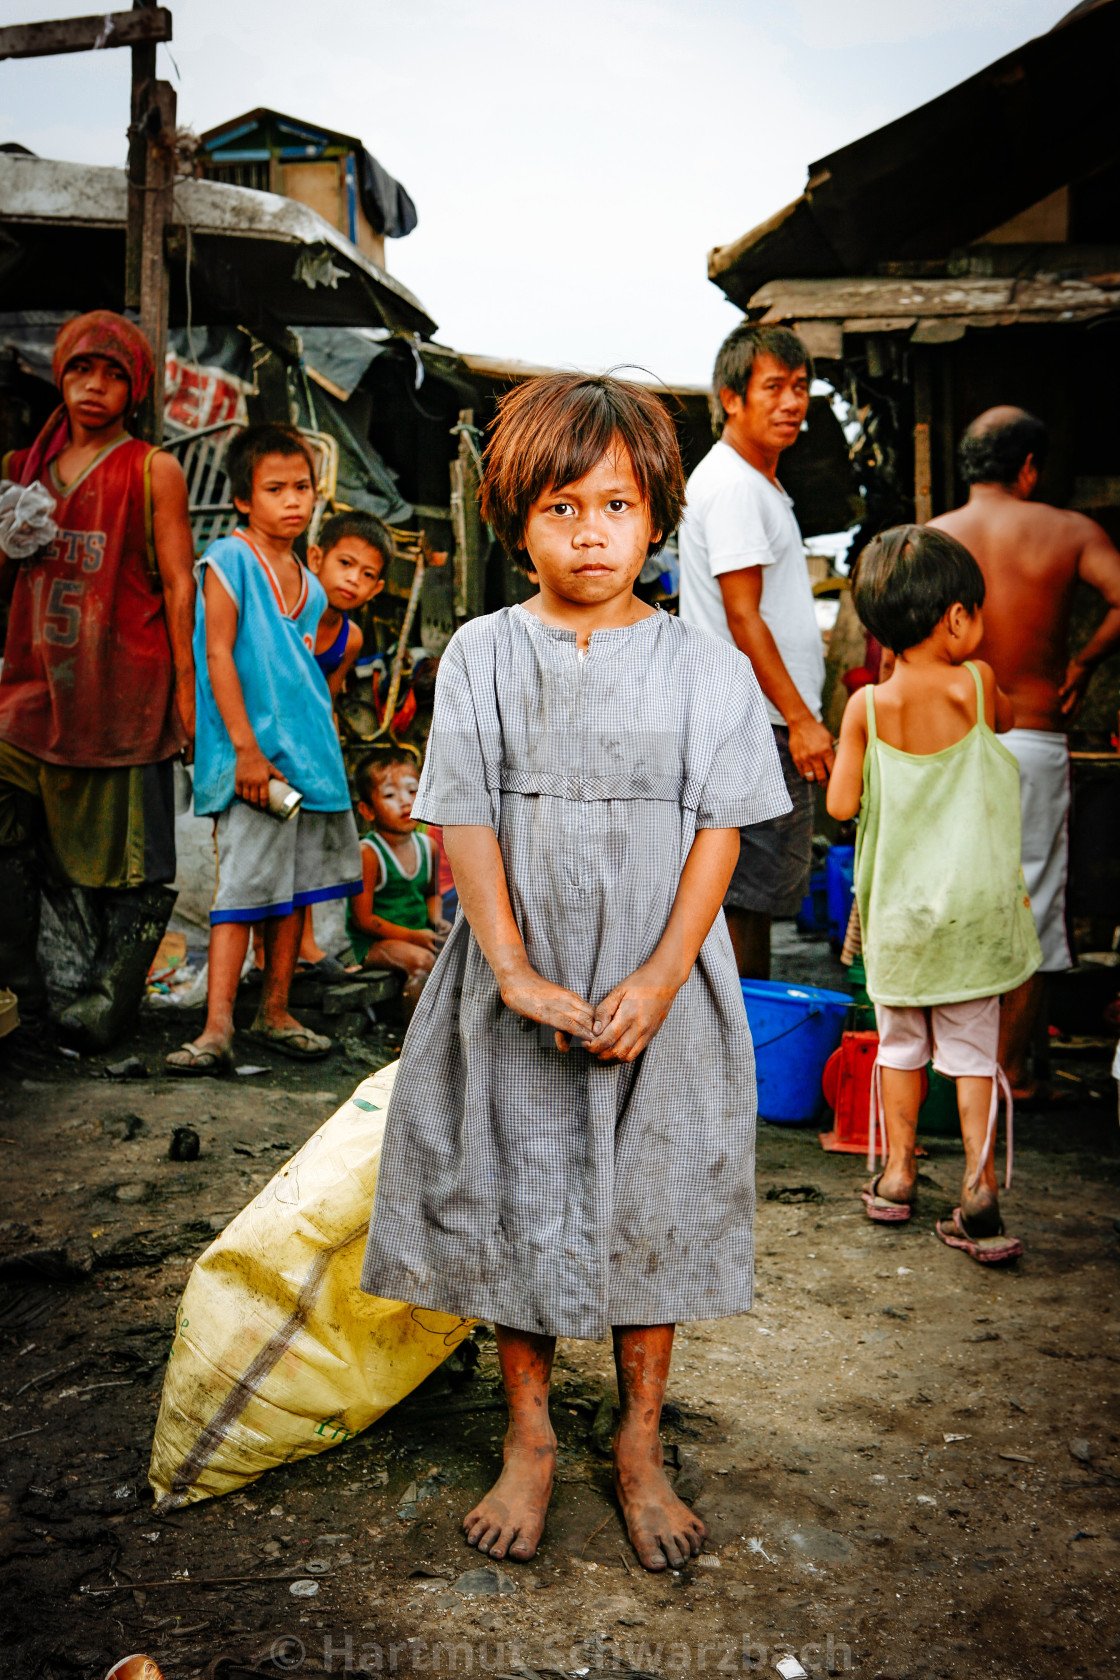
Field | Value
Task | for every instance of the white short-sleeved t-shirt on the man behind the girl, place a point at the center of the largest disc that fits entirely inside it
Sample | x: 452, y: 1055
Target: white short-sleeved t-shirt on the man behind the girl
x: 736, y: 518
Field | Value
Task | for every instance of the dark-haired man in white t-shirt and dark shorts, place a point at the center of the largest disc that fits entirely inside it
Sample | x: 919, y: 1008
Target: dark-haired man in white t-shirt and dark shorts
x: 745, y: 579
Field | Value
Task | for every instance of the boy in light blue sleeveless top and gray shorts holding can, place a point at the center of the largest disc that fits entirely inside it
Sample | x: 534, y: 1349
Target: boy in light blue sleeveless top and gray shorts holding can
x: 264, y: 715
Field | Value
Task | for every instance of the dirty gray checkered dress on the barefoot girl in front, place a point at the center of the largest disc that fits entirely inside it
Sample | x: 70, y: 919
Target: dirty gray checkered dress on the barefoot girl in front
x: 552, y: 1192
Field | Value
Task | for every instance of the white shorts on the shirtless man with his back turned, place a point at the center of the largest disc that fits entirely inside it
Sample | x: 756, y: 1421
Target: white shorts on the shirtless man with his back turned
x: 1045, y: 802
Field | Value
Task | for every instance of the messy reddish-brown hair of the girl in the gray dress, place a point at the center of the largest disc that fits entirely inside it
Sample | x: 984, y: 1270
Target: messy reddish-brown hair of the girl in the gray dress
x: 553, y: 431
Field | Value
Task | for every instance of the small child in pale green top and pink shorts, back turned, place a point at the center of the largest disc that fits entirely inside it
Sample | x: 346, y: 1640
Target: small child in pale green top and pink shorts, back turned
x: 946, y: 918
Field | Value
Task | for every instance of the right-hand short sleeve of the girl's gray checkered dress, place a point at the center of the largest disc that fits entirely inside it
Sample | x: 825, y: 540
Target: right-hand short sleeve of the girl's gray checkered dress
x: 745, y: 780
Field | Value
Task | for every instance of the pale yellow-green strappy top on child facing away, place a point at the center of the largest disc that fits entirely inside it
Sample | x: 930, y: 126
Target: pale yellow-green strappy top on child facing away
x: 938, y: 876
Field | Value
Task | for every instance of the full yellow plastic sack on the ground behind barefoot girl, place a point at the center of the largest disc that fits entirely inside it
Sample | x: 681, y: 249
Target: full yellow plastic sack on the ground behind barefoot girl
x: 278, y: 1353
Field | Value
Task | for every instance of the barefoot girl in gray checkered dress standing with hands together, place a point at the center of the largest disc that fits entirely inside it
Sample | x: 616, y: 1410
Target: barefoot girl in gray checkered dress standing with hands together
x: 570, y: 1145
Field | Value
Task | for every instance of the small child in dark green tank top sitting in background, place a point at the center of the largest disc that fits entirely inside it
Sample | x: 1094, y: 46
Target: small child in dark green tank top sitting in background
x: 397, y: 920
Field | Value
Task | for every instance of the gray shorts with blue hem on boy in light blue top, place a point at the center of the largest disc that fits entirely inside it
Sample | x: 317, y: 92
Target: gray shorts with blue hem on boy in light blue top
x: 268, y: 868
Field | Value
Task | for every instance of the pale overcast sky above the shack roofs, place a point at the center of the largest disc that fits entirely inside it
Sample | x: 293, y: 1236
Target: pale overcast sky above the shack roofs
x: 573, y: 162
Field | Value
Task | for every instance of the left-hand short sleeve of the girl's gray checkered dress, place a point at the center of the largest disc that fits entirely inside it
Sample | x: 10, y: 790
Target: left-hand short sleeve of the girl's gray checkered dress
x: 459, y: 782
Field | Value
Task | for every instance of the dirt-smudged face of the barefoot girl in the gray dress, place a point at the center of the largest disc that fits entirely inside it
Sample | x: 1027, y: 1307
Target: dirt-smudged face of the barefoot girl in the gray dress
x: 589, y: 540
